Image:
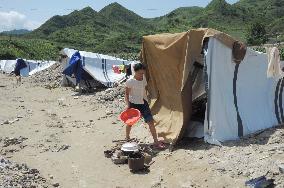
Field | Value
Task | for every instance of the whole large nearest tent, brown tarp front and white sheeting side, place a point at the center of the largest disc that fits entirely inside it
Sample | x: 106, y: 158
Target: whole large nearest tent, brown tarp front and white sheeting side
x: 196, y: 85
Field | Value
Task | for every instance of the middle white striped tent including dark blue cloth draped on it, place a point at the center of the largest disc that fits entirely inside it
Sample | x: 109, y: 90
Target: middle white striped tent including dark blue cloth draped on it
x: 98, y: 66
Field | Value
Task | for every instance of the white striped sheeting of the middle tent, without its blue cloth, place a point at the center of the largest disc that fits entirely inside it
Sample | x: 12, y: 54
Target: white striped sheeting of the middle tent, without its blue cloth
x: 99, y: 66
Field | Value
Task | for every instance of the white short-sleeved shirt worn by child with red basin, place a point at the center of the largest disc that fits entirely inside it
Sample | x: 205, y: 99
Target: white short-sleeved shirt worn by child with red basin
x: 137, y: 93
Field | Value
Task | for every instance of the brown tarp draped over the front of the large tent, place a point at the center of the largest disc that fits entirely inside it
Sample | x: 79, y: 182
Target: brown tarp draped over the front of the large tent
x: 169, y: 59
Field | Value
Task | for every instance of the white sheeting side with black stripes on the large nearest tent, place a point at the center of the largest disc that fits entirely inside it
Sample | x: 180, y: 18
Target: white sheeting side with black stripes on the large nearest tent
x: 242, y: 99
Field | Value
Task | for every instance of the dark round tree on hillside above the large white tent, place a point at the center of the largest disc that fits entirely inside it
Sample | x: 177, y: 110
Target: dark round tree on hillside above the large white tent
x: 256, y: 34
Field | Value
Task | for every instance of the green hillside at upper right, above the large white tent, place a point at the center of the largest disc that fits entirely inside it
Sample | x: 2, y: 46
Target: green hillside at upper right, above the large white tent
x: 235, y: 19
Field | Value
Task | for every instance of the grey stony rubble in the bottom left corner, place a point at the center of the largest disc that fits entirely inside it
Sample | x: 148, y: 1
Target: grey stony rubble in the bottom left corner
x: 20, y: 175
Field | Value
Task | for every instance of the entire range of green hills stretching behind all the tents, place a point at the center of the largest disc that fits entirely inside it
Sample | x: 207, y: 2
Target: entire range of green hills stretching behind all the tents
x: 115, y: 29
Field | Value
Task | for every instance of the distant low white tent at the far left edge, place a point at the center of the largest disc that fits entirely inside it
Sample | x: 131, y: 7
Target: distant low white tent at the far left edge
x: 33, y: 66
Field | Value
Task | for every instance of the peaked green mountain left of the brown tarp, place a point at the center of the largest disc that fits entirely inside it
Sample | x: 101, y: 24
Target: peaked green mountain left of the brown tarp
x: 113, y: 29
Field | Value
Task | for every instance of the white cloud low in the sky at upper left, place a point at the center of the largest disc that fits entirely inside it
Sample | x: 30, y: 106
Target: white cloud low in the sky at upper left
x: 15, y: 20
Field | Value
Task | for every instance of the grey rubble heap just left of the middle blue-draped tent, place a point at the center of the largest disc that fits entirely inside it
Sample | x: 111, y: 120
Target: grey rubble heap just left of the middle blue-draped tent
x: 49, y: 78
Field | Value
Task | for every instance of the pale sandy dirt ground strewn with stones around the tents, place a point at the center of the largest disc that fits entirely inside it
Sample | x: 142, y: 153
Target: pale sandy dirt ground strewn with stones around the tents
x: 63, y: 136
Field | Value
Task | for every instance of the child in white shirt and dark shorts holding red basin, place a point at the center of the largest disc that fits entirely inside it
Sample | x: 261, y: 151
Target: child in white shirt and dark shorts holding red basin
x: 135, y: 97
